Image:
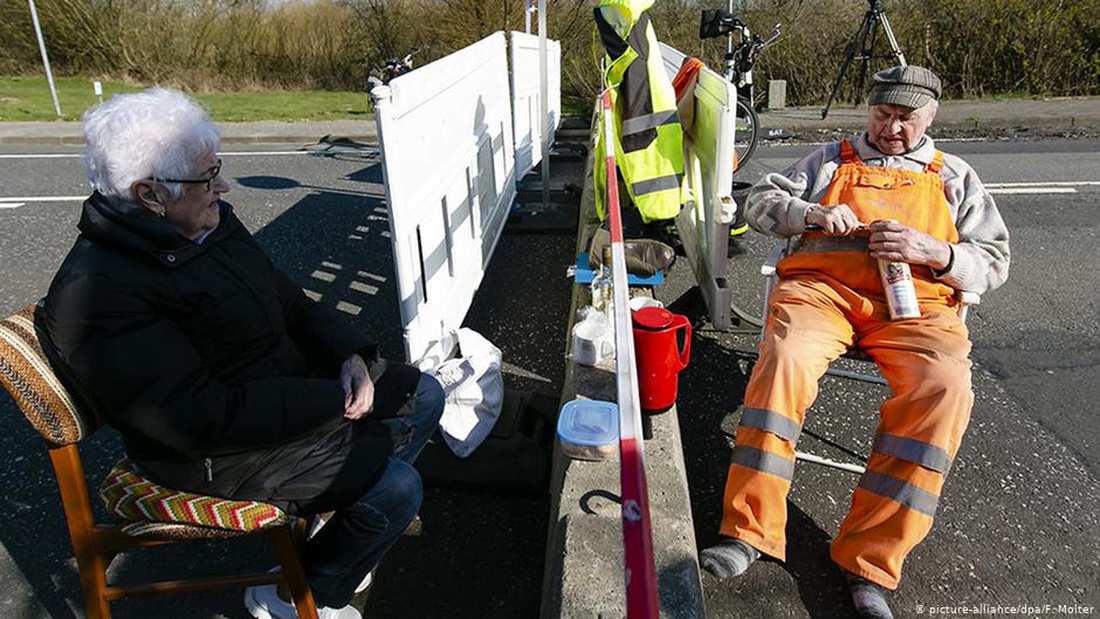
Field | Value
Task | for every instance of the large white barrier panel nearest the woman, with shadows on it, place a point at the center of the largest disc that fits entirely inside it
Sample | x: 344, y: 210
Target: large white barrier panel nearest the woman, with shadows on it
x: 446, y: 137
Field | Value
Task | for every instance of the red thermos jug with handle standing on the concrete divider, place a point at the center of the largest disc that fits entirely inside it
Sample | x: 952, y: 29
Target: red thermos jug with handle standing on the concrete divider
x: 659, y: 357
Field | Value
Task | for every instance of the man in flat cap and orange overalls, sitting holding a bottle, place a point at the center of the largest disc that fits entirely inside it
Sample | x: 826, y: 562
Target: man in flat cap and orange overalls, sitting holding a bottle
x: 886, y: 195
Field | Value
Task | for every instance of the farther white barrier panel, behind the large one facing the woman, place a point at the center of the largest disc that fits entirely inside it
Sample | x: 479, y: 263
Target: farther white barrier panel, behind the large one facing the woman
x: 525, y: 98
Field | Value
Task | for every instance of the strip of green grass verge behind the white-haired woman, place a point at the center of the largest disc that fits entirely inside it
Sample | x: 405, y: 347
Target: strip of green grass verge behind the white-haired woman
x: 28, y: 100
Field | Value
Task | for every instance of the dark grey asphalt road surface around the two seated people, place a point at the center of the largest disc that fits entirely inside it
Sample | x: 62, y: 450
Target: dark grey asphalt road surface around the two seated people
x: 1018, y: 525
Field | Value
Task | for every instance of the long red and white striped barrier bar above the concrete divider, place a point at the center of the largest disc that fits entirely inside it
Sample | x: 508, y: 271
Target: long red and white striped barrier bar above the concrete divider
x: 637, y: 530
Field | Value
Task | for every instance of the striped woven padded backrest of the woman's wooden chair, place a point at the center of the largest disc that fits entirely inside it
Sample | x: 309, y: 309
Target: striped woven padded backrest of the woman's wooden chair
x: 28, y: 377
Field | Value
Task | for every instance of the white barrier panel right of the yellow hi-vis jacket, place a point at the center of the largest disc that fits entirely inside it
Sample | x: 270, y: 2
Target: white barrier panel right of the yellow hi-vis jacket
x: 709, y: 164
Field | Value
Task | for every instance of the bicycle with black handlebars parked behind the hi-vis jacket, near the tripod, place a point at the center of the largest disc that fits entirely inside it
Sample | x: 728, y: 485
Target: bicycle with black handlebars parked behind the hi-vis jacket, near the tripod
x: 739, y: 63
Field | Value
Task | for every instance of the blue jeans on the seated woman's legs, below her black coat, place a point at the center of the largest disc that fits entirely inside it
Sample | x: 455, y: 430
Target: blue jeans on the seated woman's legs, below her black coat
x: 354, y: 541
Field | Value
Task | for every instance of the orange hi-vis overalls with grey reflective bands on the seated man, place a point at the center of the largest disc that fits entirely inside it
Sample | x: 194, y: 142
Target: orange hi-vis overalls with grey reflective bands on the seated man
x: 829, y: 299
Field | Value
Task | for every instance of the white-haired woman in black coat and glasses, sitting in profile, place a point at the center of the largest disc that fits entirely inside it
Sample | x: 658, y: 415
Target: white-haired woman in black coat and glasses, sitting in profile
x: 170, y: 323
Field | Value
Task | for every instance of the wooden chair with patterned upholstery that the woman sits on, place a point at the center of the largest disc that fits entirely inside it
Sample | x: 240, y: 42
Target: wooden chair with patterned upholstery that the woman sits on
x: 148, y: 514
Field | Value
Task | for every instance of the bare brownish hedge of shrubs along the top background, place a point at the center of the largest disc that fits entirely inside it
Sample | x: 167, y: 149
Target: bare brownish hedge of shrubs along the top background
x: 981, y: 48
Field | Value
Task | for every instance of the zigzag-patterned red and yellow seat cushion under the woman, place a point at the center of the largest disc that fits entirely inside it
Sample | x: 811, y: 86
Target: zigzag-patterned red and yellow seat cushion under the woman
x: 147, y: 509
